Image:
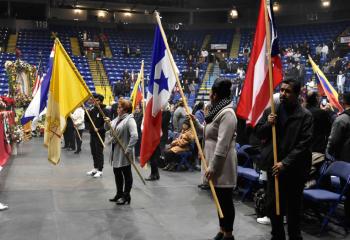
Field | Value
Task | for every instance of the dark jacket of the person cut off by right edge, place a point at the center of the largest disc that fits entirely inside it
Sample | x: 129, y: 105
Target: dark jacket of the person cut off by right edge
x: 339, y: 139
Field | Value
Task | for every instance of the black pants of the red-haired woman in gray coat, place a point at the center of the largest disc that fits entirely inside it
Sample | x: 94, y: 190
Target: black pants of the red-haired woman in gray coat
x: 123, y: 180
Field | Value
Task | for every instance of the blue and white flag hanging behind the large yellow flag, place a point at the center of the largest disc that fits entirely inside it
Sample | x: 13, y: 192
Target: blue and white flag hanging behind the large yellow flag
x: 39, y: 101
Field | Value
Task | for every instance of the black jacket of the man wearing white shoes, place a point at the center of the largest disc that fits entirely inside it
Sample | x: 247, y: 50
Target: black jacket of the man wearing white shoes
x: 98, y: 120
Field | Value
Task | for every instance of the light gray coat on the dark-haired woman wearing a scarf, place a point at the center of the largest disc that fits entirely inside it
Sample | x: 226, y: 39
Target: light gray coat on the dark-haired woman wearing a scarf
x: 219, y: 149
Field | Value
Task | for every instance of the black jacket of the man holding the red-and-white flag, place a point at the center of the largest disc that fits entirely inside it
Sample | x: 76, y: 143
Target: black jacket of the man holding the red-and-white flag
x: 294, y: 135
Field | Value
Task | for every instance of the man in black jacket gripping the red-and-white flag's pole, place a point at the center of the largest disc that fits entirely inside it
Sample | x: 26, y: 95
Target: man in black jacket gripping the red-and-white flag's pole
x: 294, y: 126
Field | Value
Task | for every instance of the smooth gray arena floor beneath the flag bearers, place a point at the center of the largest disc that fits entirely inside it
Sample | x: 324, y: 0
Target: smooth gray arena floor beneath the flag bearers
x: 60, y: 202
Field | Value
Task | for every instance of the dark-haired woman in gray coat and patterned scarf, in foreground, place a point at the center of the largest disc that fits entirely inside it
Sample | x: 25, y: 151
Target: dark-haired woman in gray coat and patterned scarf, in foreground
x: 219, y: 150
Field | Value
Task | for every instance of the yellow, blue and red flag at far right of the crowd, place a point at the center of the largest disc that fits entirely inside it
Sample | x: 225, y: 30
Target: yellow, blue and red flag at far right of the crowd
x: 328, y: 89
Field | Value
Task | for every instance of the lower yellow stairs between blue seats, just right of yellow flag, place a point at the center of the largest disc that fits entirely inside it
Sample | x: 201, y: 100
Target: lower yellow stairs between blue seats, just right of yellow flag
x: 101, y: 81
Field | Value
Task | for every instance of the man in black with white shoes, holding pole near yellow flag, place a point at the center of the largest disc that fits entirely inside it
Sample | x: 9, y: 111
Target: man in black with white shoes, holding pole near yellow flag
x: 95, y: 143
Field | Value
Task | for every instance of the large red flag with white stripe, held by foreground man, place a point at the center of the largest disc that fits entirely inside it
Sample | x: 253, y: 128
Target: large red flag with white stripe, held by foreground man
x: 255, y: 94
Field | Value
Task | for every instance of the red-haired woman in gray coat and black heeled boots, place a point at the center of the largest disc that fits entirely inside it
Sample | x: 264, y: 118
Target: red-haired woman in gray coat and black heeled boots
x: 125, y: 127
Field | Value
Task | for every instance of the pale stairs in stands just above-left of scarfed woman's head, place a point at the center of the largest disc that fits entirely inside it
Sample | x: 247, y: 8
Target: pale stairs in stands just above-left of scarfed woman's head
x: 213, y: 72
